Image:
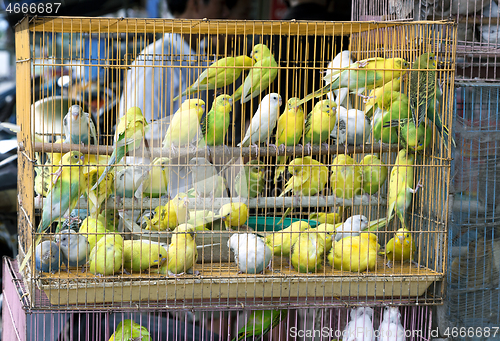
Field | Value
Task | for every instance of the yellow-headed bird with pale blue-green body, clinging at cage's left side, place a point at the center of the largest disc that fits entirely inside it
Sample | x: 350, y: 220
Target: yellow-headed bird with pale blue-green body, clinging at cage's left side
x: 65, y: 191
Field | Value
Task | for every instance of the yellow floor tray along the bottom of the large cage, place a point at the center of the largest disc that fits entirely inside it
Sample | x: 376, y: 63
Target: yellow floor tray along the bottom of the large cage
x: 222, y: 280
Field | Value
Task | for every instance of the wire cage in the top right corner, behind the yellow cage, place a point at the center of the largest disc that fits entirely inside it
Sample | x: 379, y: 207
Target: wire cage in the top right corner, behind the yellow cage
x: 477, y: 33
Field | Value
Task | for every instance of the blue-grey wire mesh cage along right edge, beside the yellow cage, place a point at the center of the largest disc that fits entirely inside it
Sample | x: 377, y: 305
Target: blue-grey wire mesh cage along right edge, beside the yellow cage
x: 473, y: 278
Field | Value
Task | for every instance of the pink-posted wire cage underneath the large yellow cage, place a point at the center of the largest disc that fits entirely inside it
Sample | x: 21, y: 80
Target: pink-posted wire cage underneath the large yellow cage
x: 415, y: 323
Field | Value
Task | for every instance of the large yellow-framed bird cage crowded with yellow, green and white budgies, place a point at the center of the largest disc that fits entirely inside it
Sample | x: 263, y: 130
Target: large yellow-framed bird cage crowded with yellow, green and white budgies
x: 169, y: 207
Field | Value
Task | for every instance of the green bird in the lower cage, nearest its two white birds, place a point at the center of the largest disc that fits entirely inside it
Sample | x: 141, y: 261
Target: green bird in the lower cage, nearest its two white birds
x: 260, y: 322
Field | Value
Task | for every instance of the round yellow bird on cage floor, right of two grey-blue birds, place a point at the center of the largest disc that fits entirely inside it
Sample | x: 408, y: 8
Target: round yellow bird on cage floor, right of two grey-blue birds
x: 106, y: 257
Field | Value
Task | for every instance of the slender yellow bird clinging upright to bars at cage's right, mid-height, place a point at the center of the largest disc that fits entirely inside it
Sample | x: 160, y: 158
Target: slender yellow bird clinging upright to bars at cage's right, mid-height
x: 400, y: 181
